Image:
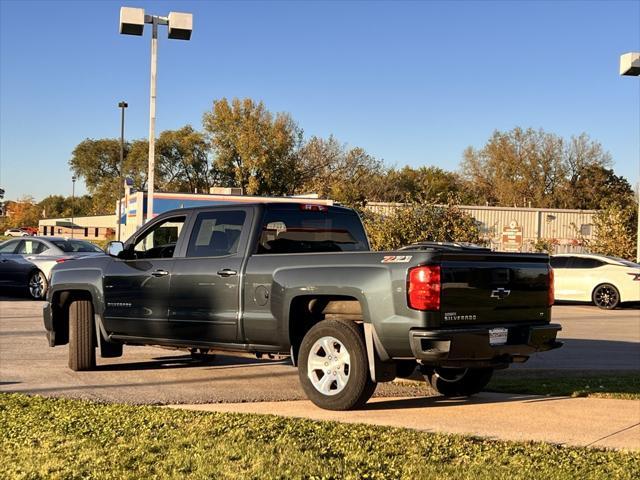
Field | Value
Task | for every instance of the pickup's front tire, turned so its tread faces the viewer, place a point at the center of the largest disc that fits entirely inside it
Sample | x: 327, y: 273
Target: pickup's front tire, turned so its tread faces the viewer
x: 82, y: 349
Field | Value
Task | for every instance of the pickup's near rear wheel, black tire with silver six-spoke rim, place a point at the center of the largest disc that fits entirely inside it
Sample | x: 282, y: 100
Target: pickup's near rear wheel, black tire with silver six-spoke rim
x: 358, y: 386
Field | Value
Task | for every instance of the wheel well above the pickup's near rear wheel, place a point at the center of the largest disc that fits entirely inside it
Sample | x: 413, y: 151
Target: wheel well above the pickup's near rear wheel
x: 307, y: 310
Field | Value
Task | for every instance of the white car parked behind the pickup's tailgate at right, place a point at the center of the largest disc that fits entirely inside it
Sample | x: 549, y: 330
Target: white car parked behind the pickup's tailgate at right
x: 605, y: 281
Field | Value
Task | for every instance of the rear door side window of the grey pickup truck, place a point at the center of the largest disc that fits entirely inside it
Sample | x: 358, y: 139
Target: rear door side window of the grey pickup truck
x: 216, y: 234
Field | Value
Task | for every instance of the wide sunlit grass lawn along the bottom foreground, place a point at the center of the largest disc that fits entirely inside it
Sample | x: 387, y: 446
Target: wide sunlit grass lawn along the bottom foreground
x: 56, y: 438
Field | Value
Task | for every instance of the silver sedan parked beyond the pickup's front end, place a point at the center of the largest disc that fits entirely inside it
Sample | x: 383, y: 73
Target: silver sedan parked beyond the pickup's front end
x: 27, y: 262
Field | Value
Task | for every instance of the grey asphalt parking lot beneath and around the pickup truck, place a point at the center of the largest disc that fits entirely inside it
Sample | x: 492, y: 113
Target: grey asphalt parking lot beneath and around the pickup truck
x: 594, y: 339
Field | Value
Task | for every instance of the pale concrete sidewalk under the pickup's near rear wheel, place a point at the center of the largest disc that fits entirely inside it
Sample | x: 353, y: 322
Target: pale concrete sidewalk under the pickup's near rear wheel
x: 596, y: 422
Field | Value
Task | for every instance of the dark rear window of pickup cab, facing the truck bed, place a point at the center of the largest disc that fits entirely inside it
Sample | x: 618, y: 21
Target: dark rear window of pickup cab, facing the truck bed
x: 301, y: 231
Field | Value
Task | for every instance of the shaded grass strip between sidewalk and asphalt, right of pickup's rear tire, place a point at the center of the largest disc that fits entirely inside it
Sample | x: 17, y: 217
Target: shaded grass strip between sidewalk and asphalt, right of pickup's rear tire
x: 619, y: 385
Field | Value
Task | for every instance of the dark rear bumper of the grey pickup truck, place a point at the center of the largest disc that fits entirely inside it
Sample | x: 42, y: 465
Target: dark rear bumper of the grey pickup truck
x: 470, y: 347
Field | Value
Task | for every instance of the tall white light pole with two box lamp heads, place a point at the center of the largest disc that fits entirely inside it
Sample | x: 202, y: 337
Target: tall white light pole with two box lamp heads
x: 180, y: 25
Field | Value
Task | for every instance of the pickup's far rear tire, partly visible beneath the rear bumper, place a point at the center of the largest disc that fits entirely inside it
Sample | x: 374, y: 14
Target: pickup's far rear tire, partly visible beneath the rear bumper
x: 458, y: 382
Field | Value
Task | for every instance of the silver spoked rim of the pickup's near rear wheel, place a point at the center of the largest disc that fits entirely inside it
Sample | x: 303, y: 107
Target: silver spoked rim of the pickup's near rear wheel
x: 329, y: 366
